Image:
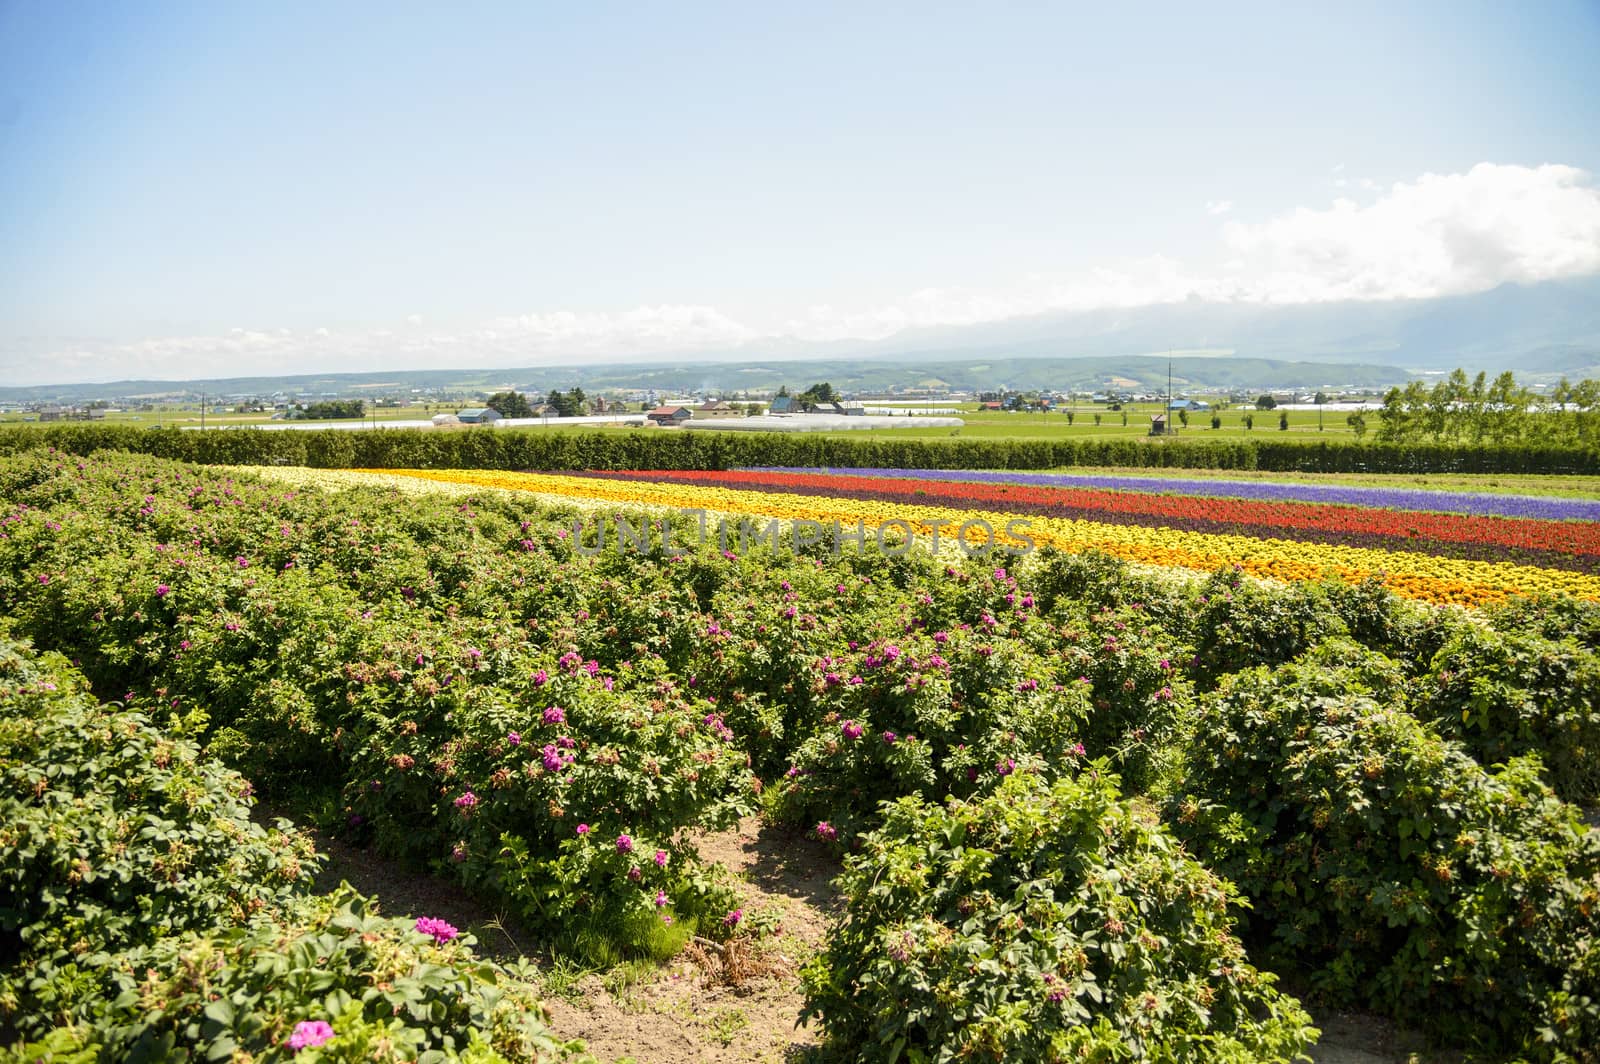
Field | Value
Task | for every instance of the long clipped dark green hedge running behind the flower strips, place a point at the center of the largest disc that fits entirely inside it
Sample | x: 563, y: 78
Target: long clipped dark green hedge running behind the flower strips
x: 537, y: 449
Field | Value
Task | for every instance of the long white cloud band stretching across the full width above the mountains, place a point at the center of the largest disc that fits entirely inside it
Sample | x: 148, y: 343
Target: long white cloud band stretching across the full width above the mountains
x: 1438, y: 236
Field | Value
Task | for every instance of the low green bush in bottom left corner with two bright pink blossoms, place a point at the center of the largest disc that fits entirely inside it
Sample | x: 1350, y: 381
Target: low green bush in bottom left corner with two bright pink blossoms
x: 385, y: 990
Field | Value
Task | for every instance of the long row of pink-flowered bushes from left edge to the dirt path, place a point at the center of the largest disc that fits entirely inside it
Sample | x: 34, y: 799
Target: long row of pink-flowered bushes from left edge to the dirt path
x: 350, y: 662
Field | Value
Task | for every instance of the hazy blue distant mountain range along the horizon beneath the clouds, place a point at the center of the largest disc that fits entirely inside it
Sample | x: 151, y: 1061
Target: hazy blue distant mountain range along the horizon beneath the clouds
x: 1540, y: 332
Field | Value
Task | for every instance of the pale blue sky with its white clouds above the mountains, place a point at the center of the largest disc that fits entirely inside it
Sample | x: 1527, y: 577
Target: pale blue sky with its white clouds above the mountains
x: 204, y: 188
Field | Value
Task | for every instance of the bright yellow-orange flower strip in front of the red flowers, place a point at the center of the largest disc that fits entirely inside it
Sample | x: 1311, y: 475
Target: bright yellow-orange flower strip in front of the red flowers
x: 1422, y: 577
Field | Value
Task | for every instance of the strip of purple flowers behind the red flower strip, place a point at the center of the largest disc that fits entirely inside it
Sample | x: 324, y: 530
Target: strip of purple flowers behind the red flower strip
x: 1386, y: 498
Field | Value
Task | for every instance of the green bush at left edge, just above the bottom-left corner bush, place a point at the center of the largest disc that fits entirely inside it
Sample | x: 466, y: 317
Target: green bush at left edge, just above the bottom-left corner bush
x: 114, y: 834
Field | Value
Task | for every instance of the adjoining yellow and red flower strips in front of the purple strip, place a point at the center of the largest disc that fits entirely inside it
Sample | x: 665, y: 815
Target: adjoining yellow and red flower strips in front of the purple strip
x: 1447, y: 559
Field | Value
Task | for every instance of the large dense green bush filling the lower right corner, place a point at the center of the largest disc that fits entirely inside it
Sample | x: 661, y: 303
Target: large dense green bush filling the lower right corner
x: 1390, y: 866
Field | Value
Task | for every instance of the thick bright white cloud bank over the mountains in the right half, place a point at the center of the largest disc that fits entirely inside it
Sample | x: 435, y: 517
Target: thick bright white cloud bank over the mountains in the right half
x: 1438, y: 236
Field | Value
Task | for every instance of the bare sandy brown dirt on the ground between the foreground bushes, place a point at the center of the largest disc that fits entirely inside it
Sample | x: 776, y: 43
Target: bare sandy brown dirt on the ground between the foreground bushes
x: 730, y: 1009
